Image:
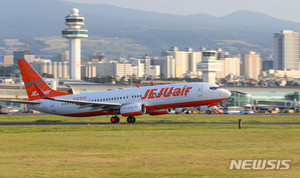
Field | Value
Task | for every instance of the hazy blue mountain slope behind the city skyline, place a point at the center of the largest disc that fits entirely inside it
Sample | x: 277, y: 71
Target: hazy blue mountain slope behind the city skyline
x: 35, y: 20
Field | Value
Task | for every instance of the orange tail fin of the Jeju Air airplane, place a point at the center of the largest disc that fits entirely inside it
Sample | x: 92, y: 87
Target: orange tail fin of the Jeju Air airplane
x: 31, y: 77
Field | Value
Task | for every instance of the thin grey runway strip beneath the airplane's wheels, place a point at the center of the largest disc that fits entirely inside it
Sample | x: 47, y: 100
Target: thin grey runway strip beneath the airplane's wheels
x: 108, y: 123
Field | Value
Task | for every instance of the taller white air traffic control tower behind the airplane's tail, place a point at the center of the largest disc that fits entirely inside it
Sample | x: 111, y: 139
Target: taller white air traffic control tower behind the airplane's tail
x: 74, y: 33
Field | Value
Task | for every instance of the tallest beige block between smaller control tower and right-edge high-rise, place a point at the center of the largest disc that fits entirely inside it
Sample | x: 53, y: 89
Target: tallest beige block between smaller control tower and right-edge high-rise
x: 251, y: 65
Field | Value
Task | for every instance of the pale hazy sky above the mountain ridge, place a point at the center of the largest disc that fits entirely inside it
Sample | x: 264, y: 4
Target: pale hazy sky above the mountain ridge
x: 283, y: 9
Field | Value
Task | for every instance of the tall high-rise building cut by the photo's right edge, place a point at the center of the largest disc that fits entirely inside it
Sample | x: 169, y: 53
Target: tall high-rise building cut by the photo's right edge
x: 286, y: 50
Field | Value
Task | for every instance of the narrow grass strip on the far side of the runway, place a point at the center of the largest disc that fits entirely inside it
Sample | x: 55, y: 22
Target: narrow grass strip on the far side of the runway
x: 156, y: 119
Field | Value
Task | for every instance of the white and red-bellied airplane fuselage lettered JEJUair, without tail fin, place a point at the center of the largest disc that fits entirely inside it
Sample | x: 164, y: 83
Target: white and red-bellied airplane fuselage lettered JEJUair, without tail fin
x: 153, y: 97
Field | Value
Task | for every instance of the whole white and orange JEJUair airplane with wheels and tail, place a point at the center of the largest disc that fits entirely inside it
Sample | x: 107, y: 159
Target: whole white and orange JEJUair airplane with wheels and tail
x: 130, y: 102
